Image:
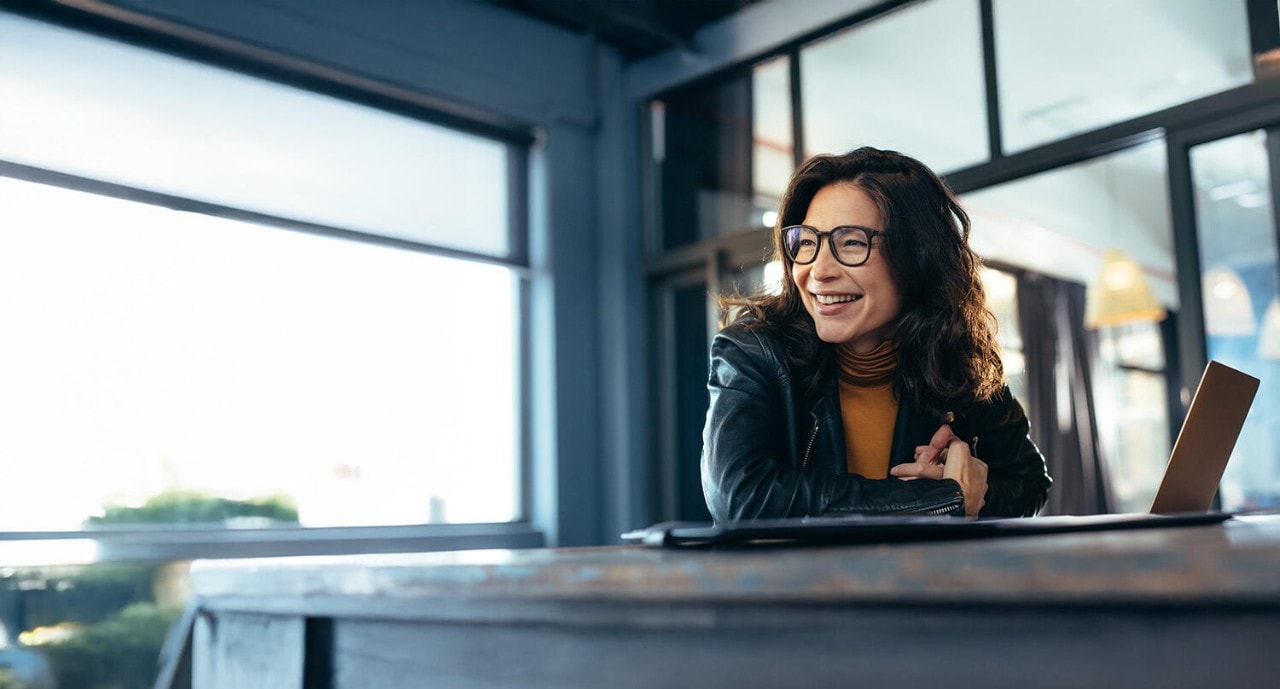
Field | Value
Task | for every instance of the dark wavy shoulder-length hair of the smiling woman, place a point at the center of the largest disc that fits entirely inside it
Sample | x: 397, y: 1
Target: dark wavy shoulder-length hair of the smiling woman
x: 948, y: 352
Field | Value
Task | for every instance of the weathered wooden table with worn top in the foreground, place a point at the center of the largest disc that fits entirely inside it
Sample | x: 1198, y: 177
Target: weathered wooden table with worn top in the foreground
x: 1196, y: 606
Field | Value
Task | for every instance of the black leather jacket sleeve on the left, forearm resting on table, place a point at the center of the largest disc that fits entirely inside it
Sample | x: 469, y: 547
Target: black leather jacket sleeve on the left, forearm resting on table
x: 749, y: 471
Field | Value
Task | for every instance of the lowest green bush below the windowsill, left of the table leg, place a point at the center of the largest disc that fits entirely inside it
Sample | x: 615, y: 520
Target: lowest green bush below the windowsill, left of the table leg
x: 121, y: 653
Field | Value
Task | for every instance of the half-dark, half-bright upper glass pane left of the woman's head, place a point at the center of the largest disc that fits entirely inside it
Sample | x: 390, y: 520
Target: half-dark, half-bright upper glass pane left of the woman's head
x: 725, y: 154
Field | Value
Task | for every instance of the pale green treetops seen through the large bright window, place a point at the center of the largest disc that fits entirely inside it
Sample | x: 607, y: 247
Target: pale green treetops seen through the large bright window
x: 186, y: 508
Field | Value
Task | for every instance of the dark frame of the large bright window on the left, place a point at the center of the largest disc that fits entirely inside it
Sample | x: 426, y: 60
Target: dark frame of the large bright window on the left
x: 175, y: 542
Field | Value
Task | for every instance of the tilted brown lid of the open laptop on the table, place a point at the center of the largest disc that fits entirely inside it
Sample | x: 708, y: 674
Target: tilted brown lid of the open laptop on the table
x: 1206, y: 440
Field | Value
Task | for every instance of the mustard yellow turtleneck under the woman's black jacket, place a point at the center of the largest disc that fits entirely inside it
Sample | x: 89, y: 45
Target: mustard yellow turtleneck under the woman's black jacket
x: 868, y: 408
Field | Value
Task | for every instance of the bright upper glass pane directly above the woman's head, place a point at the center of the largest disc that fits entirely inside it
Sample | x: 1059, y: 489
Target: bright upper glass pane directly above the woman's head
x: 912, y: 81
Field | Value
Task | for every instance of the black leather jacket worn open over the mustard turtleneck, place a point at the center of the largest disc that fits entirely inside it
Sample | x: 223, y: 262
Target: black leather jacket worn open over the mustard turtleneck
x: 767, y: 453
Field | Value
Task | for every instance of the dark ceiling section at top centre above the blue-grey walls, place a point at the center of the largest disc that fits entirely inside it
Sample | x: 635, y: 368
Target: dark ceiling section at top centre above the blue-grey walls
x: 636, y: 28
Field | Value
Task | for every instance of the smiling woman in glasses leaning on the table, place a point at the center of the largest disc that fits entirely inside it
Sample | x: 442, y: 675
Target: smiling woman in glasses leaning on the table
x: 872, y: 384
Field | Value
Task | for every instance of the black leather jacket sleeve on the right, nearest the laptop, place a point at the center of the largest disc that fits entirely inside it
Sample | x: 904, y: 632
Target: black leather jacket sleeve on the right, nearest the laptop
x: 1017, y: 481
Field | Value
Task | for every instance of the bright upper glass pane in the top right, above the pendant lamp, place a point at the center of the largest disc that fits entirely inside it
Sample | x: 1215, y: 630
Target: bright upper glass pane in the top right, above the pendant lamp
x: 1069, y: 66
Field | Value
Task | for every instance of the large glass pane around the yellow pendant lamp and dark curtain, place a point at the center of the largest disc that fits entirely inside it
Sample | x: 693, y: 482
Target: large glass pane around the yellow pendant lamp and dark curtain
x: 1060, y: 225
